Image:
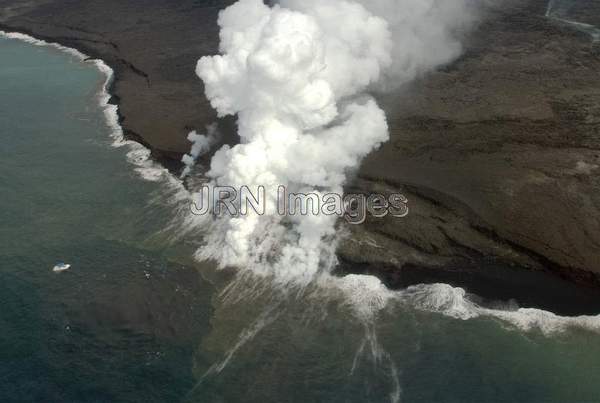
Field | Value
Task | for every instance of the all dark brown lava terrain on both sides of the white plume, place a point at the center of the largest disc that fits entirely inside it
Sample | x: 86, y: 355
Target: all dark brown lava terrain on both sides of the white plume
x: 498, y: 153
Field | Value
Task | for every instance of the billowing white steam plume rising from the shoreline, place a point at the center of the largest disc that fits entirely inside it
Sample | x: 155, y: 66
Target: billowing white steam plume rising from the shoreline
x: 296, y: 74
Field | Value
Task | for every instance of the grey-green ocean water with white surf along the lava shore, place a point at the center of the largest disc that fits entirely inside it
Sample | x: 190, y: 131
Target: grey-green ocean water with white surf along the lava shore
x: 136, y: 320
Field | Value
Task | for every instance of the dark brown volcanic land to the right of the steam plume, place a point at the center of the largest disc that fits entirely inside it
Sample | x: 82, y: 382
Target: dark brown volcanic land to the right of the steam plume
x: 498, y: 154
